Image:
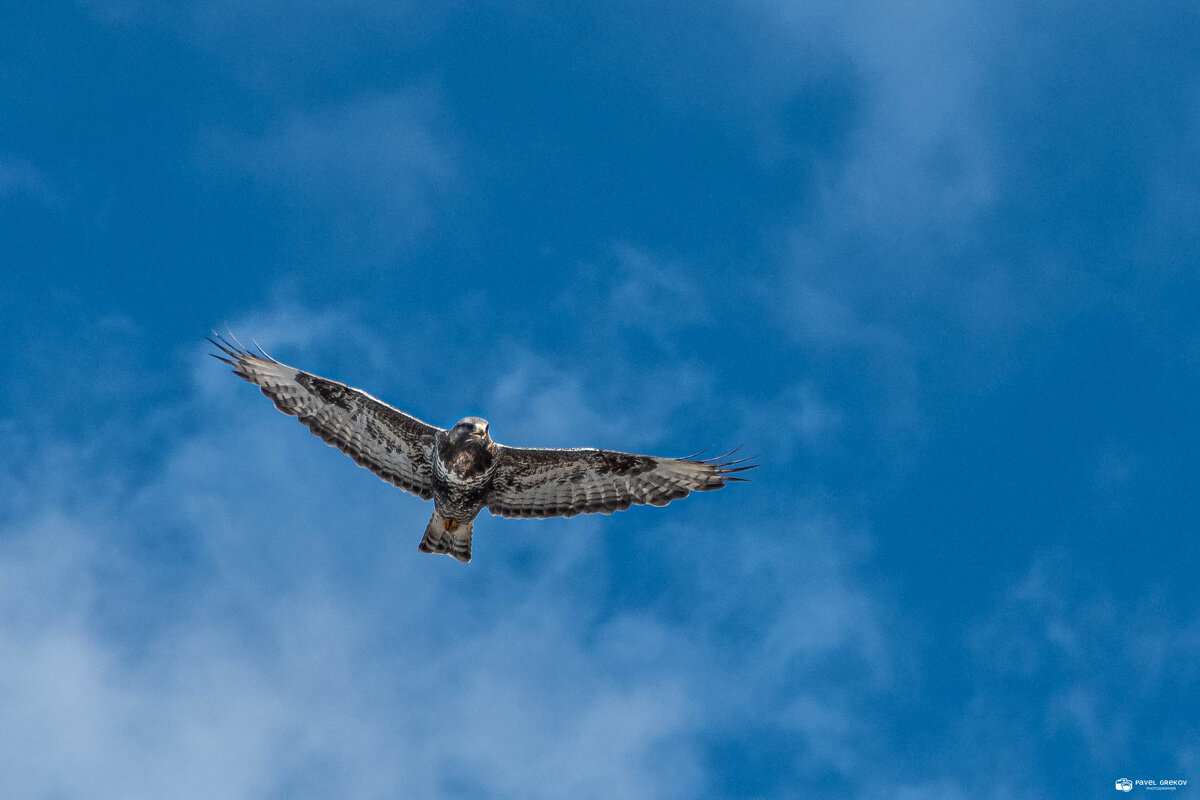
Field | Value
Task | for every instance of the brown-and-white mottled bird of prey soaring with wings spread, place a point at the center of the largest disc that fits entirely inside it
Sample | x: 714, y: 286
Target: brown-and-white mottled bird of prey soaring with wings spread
x: 463, y: 470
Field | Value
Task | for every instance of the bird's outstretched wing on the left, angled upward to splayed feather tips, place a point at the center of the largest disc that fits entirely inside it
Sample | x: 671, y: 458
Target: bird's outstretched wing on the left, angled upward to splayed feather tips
x: 392, y: 444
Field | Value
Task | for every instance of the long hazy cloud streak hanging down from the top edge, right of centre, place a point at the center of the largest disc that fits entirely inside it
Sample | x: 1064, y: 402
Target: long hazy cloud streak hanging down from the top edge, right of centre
x: 880, y: 266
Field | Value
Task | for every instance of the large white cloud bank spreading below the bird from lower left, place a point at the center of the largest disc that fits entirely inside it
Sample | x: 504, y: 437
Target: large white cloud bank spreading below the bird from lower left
x: 253, y: 618
